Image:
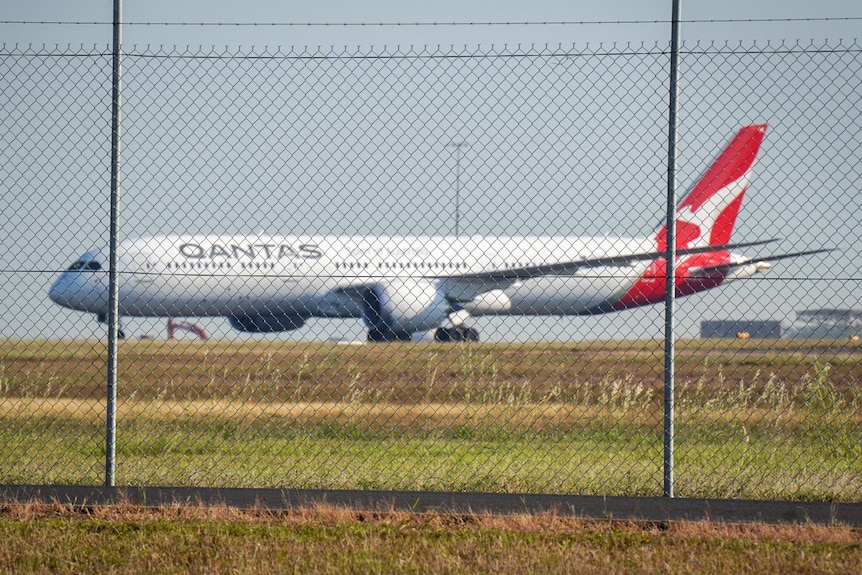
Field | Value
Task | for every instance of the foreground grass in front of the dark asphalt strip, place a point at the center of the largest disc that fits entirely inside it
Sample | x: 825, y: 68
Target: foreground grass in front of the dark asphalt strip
x: 39, y: 538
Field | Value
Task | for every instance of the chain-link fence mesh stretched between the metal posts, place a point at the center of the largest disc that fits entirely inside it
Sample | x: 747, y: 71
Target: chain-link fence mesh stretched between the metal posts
x: 278, y: 207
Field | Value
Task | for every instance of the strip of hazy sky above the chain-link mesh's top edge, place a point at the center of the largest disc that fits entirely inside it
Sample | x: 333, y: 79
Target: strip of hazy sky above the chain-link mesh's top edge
x: 441, y: 11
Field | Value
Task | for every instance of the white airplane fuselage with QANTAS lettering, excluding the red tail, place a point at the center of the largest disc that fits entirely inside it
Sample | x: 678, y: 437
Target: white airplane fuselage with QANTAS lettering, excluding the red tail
x: 231, y: 275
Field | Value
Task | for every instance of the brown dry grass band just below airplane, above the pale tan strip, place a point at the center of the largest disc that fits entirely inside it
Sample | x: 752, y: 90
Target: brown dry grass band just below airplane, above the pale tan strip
x: 301, y: 371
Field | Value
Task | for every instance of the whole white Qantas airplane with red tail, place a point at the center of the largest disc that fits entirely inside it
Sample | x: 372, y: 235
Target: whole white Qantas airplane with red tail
x: 401, y: 286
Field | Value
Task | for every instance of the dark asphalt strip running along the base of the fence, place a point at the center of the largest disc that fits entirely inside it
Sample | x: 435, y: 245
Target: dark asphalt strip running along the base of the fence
x: 592, y: 507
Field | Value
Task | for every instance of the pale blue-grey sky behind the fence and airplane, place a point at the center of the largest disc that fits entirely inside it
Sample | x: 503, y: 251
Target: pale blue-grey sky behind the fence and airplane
x: 51, y: 240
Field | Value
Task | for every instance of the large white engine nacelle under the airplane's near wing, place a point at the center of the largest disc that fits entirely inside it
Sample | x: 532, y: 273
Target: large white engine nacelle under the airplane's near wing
x: 403, y: 306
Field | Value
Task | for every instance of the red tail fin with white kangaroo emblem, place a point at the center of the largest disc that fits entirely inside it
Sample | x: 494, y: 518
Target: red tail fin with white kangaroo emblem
x: 708, y: 212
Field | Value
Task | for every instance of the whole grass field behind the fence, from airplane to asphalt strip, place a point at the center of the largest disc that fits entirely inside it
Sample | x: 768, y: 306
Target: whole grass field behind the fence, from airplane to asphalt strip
x: 777, y: 419
